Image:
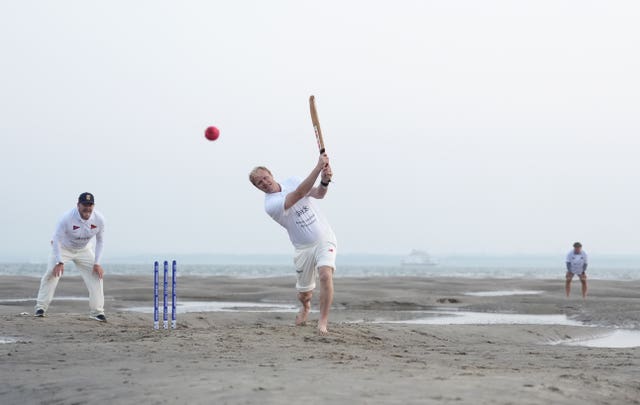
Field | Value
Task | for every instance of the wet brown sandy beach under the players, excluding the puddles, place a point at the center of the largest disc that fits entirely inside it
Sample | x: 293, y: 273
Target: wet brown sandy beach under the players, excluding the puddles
x: 262, y: 358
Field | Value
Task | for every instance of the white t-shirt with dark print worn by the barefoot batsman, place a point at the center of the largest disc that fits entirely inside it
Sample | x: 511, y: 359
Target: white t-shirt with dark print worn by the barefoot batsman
x: 303, y: 221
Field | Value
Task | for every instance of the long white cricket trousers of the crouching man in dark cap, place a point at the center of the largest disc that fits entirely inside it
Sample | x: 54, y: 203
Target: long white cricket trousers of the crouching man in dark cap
x: 84, y: 260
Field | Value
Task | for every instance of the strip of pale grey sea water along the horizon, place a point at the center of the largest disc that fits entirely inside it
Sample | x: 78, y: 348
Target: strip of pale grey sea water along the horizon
x: 365, y: 266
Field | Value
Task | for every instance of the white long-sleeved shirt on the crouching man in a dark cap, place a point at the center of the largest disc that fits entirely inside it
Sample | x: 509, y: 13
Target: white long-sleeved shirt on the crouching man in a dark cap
x: 73, y: 232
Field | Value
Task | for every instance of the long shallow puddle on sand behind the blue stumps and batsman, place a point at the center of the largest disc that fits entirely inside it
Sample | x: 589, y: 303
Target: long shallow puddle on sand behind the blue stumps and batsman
x: 220, y: 306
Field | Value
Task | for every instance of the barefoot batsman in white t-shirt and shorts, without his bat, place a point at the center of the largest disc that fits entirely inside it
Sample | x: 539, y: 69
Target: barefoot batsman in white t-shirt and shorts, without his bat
x: 290, y: 204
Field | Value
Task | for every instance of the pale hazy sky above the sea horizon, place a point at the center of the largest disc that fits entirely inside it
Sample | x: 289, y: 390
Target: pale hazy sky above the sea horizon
x: 452, y: 126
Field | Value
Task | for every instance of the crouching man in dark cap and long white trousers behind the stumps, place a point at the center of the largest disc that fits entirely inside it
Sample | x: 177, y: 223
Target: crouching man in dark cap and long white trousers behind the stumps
x: 71, y: 244
